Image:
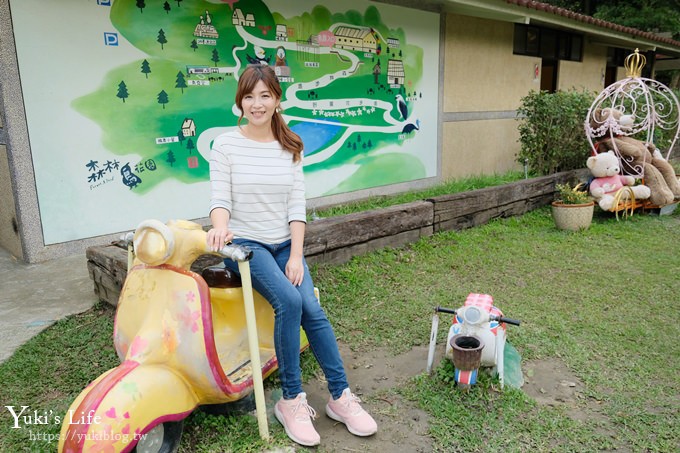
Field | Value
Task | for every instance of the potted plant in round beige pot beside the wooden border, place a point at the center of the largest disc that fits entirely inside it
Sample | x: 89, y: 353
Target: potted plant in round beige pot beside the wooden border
x: 573, y: 209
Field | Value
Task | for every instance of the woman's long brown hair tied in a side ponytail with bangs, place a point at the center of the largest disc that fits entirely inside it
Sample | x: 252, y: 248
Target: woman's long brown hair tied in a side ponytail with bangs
x: 289, y: 140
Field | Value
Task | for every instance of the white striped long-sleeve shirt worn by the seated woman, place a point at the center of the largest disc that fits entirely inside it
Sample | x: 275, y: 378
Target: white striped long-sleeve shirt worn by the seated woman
x: 260, y: 186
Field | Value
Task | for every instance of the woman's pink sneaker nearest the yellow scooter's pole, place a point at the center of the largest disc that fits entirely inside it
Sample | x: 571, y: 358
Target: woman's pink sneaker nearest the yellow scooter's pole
x: 296, y: 417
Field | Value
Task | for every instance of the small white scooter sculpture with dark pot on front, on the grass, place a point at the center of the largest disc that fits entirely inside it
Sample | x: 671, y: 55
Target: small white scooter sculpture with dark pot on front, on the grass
x: 476, y: 338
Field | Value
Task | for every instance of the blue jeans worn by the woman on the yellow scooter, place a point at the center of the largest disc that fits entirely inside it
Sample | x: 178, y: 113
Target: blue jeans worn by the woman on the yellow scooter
x: 294, y: 307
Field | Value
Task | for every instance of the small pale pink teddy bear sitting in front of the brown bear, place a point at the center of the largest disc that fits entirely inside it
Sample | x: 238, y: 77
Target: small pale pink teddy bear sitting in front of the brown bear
x: 608, y: 181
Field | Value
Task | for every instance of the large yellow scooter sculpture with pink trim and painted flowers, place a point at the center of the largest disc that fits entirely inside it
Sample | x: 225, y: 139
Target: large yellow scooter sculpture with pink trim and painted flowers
x: 183, y: 342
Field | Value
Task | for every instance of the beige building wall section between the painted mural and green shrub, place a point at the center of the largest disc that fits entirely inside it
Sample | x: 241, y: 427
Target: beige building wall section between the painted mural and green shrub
x: 483, y: 85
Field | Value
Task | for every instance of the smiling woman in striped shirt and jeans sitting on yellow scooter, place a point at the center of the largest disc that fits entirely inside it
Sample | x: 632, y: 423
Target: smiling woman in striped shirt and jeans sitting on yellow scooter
x: 258, y: 200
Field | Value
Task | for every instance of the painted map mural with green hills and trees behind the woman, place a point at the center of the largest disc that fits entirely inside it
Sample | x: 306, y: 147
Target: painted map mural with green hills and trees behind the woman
x: 124, y: 97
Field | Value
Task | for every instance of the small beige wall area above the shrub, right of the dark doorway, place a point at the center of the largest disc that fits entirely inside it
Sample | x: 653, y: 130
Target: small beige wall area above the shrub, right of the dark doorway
x: 587, y: 74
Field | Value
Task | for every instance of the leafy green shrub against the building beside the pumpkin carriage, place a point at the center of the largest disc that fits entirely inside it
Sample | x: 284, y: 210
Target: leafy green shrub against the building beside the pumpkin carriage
x: 551, y: 131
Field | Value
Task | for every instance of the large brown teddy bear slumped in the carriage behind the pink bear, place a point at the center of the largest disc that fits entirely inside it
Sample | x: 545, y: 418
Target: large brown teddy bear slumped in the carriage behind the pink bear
x: 637, y: 156
